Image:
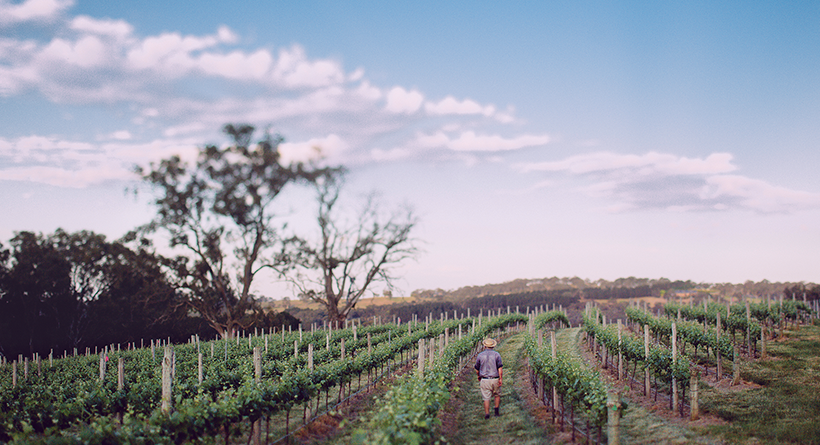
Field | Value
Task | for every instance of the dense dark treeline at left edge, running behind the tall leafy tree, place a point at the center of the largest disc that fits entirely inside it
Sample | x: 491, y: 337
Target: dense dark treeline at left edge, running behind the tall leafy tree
x: 76, y: 290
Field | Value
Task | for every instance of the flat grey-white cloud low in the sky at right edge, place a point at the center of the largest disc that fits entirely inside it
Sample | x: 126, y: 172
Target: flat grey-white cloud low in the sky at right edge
x: 675, y: 183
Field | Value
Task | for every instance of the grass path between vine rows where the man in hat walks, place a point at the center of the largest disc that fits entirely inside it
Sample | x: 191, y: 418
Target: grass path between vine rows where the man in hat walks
x: 514, y: 425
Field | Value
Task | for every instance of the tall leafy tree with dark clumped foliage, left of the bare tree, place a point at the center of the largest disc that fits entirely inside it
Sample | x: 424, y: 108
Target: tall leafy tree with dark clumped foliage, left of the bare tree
x: 219, y: 213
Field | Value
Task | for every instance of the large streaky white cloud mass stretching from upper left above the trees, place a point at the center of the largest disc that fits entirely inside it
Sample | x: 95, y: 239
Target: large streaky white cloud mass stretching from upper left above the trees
x: 197, y: 83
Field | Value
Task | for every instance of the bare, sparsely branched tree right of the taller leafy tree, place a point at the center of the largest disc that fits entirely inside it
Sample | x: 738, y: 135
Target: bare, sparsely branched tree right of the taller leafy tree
x: 345, y: 257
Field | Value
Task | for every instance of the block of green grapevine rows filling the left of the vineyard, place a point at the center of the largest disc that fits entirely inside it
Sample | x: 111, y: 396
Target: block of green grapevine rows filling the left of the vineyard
x: 68, y: 403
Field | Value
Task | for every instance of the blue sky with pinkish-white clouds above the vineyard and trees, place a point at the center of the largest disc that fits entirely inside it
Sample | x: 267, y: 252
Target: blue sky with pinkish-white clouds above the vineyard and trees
x: 590, y: 139
